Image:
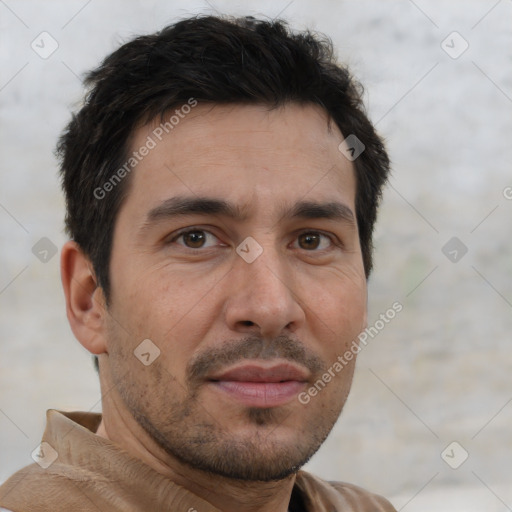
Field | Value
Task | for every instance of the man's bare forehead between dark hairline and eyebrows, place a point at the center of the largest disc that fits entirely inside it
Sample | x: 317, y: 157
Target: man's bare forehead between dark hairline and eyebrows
x: 253, y: 156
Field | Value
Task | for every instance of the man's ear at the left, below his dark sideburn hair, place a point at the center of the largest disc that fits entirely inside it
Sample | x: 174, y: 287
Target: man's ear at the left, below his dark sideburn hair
x: 85, y: 301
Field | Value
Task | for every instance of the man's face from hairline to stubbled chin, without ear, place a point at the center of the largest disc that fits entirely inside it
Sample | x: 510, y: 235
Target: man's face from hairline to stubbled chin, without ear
x: 240, y: 335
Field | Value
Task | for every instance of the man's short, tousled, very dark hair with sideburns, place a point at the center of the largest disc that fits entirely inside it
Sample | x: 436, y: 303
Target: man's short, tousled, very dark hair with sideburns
x: 212, y: 59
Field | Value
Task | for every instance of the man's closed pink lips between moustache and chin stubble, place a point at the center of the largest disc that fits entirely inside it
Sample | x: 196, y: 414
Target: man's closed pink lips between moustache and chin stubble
x: 260, y: 385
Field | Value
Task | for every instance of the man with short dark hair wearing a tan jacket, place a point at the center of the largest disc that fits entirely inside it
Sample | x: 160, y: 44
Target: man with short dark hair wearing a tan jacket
x: 222, y: 182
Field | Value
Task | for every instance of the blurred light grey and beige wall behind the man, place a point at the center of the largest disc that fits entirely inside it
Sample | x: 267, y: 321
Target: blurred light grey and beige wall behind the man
x: 438, y: 80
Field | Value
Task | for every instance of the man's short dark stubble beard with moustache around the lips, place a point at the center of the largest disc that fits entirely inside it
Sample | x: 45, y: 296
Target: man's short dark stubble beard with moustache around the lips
x: 266, y: 448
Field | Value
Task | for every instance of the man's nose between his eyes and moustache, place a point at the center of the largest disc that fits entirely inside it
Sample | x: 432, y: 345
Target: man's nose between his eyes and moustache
x: 262, y: 298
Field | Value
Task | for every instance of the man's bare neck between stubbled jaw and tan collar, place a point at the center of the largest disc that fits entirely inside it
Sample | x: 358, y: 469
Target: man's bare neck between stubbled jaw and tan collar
x: 226, y: 494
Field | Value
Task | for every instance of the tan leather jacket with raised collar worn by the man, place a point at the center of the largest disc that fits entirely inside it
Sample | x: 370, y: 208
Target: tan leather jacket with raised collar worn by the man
x: 87, y: 473
